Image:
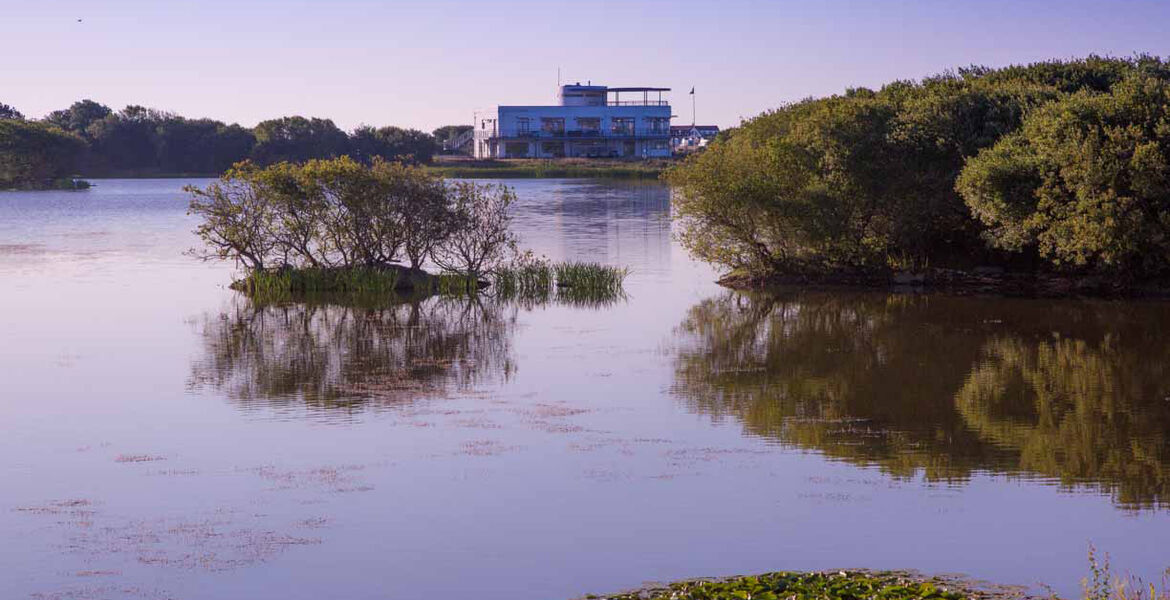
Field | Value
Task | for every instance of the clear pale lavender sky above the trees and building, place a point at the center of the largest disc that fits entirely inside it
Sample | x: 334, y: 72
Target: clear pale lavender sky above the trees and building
x: 429, y: 64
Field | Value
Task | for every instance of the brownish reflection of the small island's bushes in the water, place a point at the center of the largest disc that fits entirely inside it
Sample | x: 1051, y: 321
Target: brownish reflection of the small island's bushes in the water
x: 335, y: 357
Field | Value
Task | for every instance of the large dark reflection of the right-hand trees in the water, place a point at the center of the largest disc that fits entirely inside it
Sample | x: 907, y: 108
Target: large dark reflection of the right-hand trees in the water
x: 945, y: 387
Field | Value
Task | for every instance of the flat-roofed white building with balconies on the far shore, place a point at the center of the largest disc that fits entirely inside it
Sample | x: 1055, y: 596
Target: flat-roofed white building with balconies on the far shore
x: 590, y: 121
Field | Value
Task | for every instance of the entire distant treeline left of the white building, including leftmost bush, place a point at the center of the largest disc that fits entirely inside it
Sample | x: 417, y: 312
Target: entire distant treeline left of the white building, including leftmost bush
x: 91, y: 140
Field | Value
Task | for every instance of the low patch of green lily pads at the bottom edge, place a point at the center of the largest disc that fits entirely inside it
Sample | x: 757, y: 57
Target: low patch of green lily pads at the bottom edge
x: 802, y: 587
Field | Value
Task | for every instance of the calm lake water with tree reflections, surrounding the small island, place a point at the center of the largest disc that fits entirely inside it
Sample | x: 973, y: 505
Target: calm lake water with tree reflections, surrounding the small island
x: 163, y: 438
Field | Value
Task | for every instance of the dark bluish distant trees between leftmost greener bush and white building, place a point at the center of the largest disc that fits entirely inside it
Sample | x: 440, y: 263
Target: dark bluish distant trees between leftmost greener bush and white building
x: 139, y: 141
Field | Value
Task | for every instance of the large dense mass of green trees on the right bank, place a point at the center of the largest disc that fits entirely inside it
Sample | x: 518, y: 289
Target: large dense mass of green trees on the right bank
x: 1054, y: 167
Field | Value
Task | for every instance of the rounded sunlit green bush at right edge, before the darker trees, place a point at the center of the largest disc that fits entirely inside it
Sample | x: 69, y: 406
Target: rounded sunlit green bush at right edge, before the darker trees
x: 1085, y: 183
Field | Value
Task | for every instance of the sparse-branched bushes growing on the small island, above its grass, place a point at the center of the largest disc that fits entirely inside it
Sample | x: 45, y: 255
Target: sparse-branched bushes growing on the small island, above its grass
x: 340, y: 213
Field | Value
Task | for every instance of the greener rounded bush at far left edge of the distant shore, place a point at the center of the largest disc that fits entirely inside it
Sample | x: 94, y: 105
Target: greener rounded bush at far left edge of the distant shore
x: 35, y: 155
